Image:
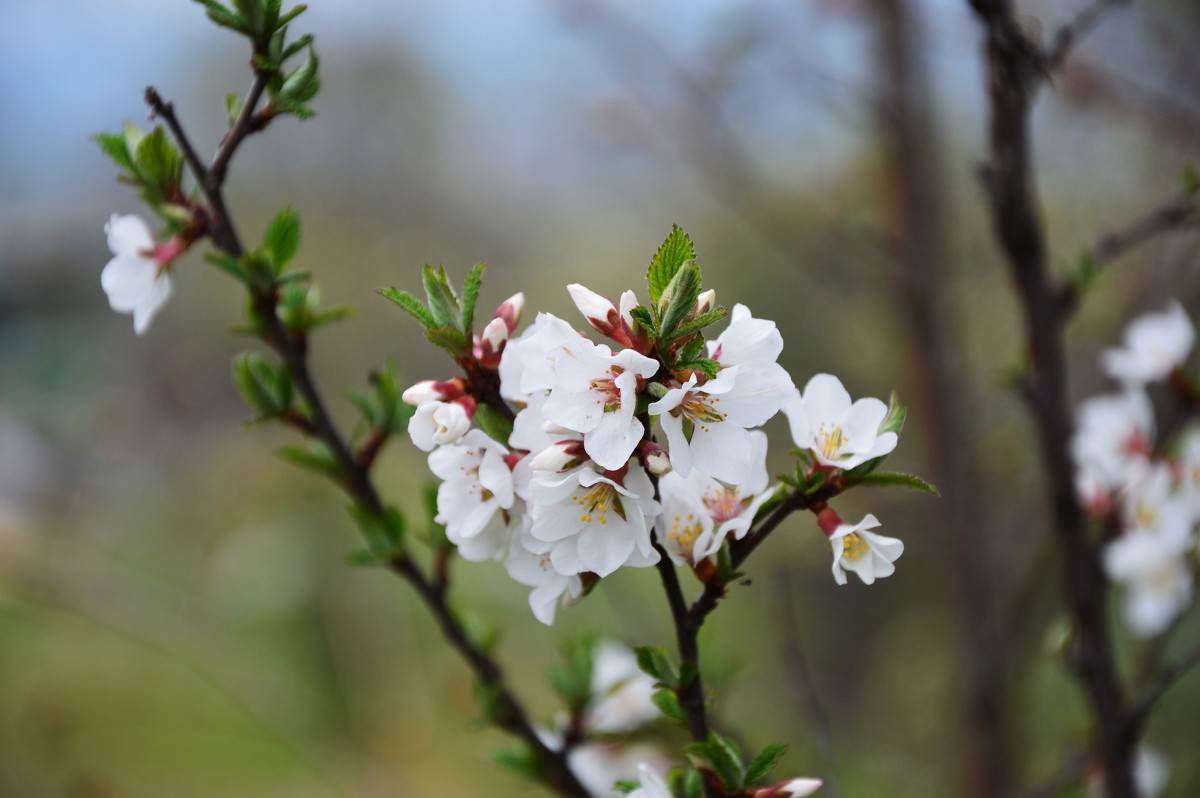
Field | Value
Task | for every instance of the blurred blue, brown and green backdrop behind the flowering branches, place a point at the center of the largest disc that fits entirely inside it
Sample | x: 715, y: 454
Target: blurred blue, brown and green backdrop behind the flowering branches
x: 176, y: 614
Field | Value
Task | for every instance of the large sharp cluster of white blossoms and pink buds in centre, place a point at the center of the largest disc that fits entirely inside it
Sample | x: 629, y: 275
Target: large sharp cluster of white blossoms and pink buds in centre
x: 575, y: 484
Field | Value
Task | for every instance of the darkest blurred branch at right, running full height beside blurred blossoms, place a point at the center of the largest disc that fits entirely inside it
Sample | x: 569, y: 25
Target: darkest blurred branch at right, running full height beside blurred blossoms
x: 1016, y: 68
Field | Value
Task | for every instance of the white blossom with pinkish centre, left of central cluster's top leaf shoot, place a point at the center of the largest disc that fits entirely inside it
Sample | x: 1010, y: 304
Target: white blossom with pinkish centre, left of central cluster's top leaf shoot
x: 596, y: 393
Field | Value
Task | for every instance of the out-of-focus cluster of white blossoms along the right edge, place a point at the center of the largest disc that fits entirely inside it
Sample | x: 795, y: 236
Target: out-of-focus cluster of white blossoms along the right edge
x: 1149, y: 489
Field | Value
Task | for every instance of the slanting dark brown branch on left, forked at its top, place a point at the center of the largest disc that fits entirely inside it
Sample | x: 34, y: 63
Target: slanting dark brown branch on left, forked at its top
x: 292, y: 350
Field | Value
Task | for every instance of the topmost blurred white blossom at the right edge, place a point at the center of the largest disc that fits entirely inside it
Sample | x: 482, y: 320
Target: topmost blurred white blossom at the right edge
x: 1155, y: 345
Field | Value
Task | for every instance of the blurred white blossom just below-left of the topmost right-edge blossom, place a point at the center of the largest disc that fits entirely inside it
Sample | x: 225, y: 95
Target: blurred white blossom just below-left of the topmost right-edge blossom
x: 1113, y: 441
